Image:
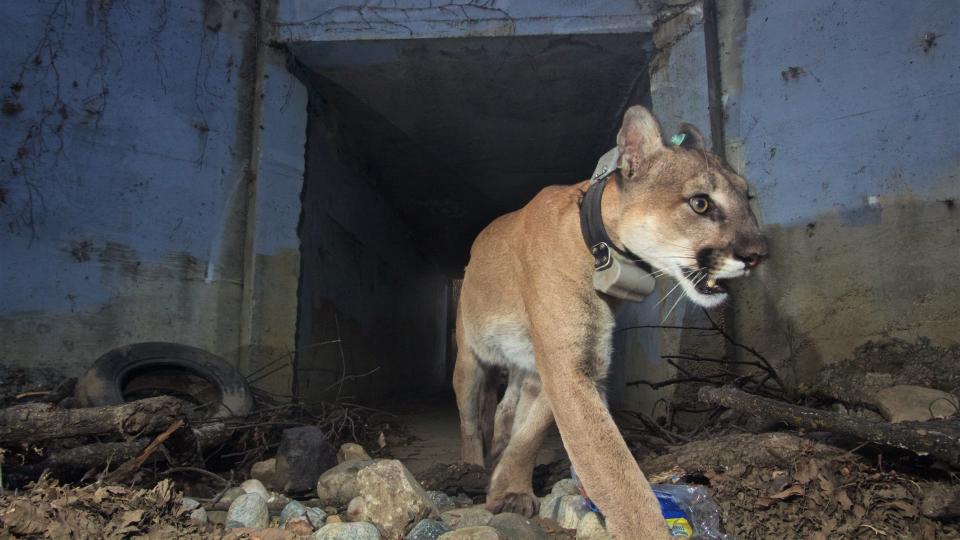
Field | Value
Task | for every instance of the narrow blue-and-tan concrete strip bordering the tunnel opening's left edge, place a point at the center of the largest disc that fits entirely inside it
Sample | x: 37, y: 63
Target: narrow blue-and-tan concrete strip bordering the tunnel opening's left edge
x: 268, y: 316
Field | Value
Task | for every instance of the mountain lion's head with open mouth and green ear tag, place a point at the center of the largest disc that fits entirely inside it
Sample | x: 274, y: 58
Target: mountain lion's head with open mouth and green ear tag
x: 683, y: 210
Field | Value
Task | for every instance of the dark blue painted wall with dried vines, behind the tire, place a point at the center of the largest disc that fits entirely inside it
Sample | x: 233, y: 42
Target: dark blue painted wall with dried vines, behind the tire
x: 122, y: 175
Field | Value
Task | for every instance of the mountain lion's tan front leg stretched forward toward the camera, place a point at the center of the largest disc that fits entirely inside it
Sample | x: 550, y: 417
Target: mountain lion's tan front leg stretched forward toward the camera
x: 569, y: 368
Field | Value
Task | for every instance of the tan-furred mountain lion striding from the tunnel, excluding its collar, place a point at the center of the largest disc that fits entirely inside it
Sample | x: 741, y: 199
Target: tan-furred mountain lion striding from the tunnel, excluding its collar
x: 528, y: 306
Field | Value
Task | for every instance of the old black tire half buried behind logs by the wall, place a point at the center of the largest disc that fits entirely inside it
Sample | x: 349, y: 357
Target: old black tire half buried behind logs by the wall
x: 106, y: 380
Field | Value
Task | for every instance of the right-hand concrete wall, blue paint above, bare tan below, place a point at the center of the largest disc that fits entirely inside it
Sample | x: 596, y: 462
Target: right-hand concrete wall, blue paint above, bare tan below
x: 844, y: 119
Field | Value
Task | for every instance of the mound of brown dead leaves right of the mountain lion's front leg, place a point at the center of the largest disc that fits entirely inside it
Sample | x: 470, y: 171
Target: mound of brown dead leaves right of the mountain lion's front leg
x: 781, y: 485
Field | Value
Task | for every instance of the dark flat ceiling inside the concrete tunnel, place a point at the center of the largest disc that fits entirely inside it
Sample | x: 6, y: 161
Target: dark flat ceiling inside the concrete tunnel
x: 458, y: 131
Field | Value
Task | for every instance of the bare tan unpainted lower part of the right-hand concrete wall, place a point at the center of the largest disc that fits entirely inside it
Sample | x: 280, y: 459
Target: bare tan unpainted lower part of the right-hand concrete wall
x: 830, y: 286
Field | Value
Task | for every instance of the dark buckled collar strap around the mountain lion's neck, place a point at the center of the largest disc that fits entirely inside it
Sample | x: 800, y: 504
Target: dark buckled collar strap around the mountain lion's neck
x: 591, y: 220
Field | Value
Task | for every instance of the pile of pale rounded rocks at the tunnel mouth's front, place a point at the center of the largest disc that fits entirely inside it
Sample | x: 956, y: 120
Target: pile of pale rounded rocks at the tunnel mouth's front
x: 371, y: 499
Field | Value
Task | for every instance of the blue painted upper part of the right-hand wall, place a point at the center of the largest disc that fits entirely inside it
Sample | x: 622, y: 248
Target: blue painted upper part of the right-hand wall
x: 846, y: 100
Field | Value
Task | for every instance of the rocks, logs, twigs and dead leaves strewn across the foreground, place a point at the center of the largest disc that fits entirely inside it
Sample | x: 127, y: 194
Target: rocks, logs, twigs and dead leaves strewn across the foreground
x: 877, y: 463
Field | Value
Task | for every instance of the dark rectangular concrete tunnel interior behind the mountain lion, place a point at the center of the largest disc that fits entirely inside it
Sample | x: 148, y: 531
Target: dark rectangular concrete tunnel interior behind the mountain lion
x: 413, y: 146
